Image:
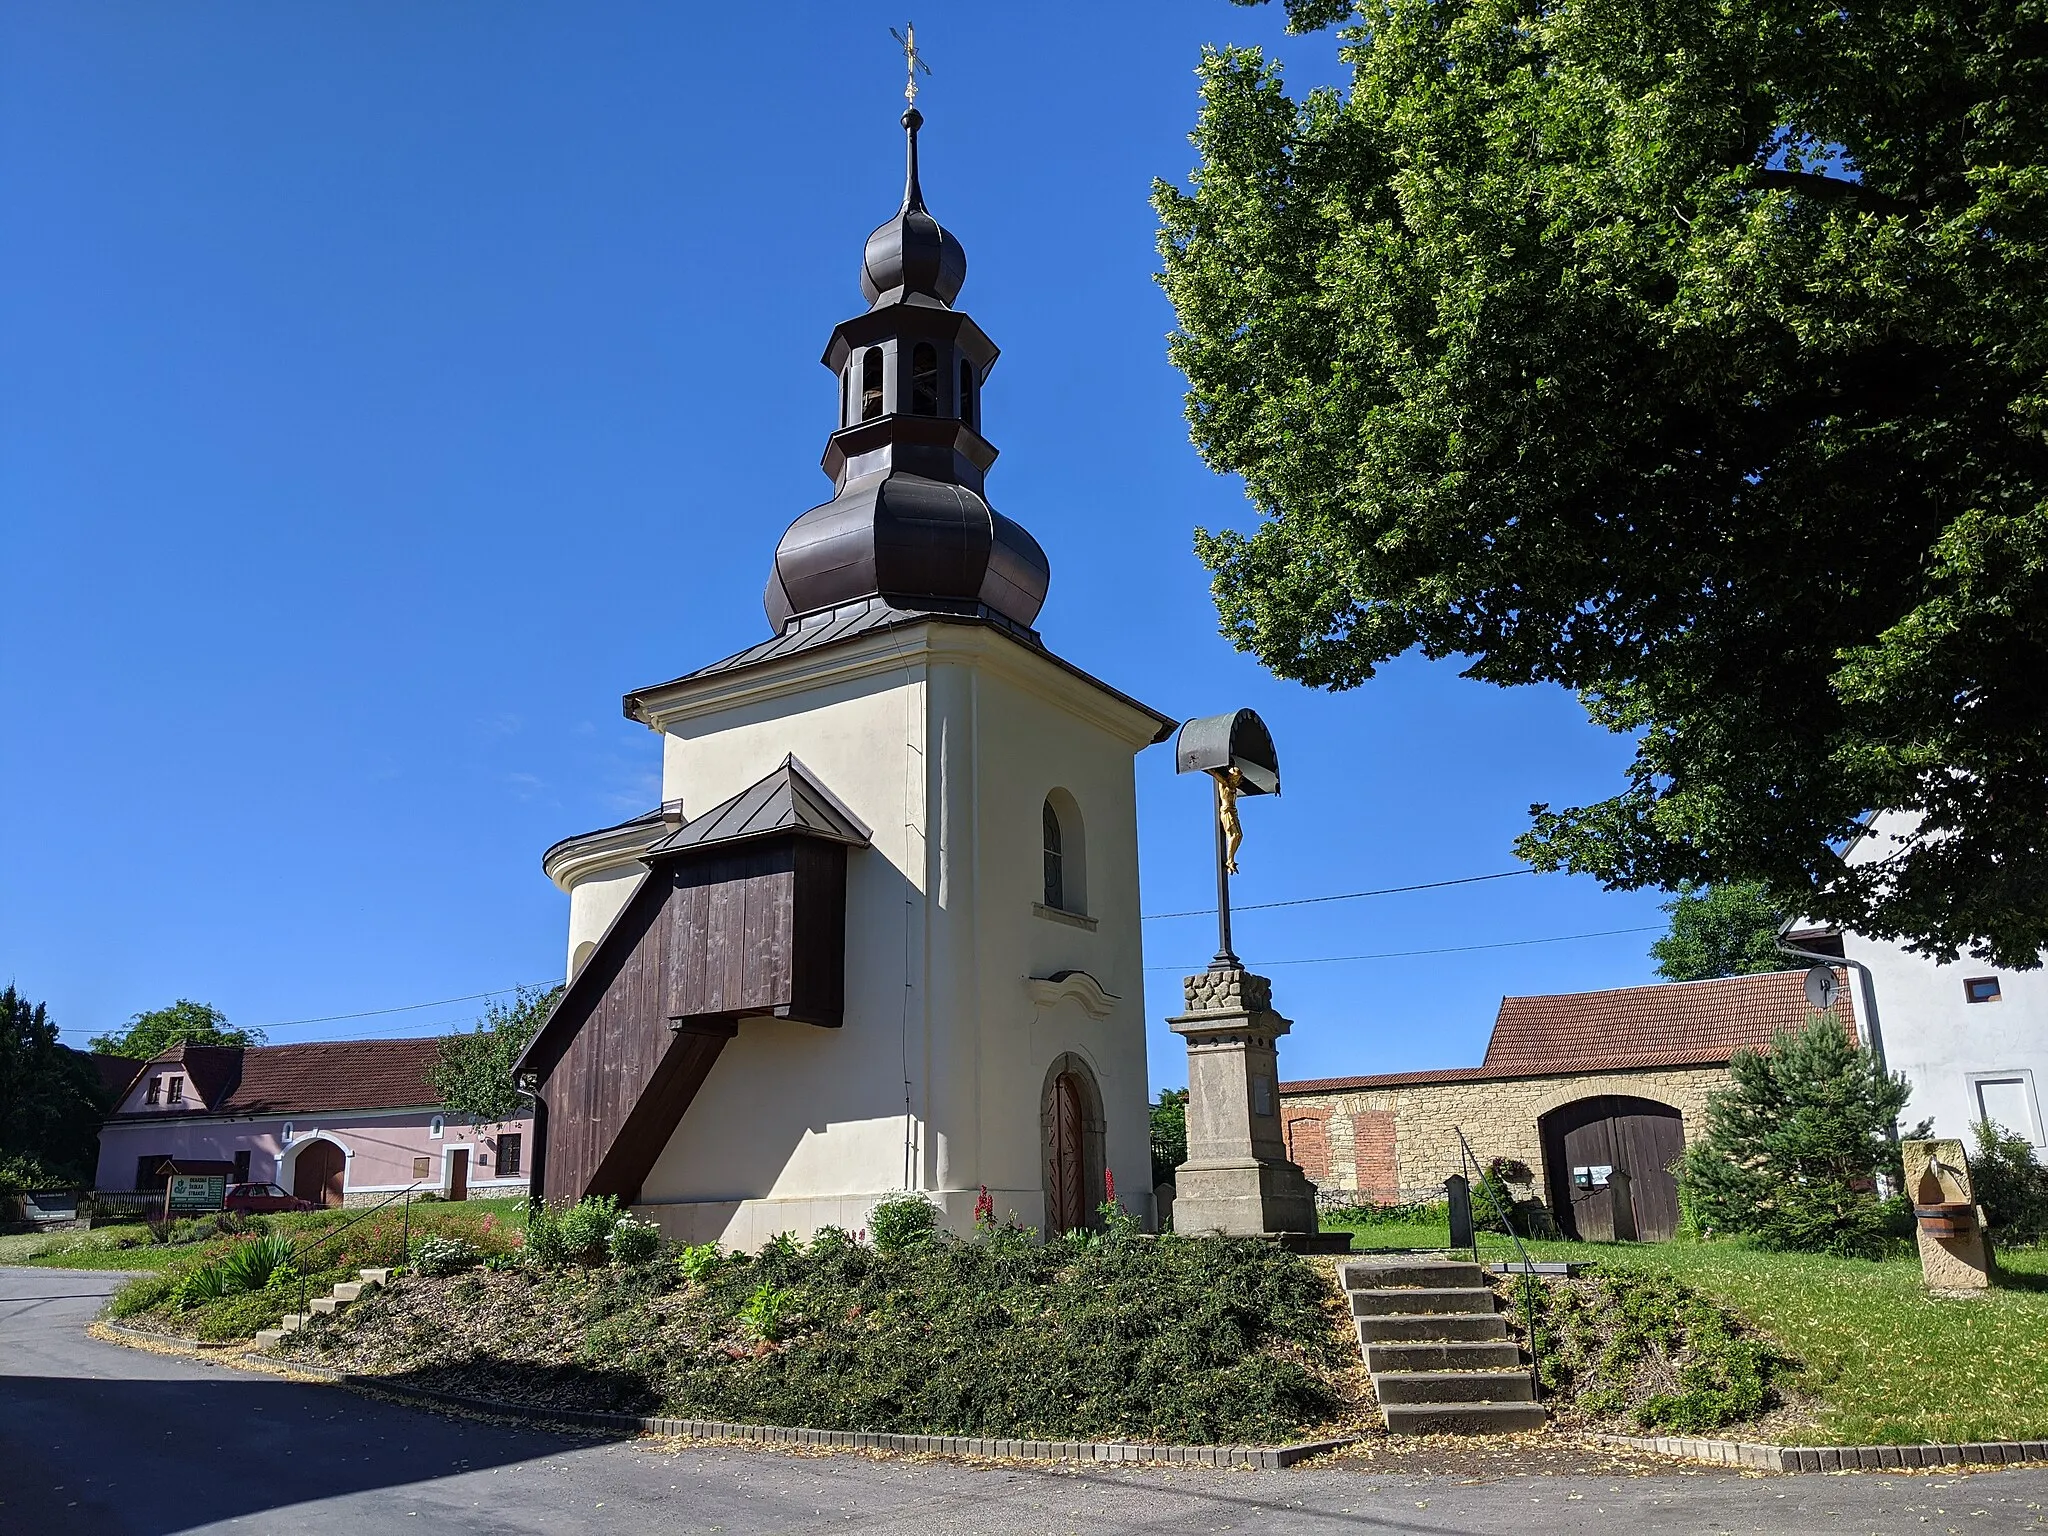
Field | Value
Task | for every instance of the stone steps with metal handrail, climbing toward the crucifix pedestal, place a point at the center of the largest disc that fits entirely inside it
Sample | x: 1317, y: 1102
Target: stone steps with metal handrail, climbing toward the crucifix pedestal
x: 1439, y: 1351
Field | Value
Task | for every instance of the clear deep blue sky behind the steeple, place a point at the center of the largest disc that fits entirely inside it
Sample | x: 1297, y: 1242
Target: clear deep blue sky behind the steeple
x: 353, y: 359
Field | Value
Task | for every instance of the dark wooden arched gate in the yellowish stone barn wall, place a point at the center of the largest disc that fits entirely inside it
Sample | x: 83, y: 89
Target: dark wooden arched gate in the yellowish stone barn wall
x: 1588, y: 1140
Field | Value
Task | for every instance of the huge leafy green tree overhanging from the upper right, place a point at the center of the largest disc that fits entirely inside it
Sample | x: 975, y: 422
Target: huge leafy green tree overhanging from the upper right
x: 1684, y: 353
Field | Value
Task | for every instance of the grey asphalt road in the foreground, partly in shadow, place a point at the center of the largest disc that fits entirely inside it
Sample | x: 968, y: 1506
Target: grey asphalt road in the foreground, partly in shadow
x: 103, y: 1441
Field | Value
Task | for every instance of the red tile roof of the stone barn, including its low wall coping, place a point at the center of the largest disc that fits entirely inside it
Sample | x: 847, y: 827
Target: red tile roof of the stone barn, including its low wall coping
x: 1670, y: 1025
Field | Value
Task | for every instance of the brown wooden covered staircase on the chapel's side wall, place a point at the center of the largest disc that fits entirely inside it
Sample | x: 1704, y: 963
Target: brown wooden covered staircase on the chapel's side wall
x: 742, y: 914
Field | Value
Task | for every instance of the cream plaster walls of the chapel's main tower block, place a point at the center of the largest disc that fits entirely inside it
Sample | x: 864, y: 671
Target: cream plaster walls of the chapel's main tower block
x: 945, y: 740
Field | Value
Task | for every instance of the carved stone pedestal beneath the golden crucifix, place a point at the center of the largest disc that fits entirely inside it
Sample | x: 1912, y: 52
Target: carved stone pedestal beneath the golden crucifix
x: 1238, y: 1179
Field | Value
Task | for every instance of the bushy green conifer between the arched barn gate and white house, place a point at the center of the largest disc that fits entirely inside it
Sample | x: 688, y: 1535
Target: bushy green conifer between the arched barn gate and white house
x: 1795, y: 1144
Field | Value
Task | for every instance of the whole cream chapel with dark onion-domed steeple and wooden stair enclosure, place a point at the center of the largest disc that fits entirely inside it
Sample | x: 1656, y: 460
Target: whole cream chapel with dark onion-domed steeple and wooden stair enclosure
x: 884, y: 929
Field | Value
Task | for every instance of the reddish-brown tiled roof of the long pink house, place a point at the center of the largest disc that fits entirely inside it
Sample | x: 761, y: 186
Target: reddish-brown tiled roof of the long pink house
x: 308, y: 1078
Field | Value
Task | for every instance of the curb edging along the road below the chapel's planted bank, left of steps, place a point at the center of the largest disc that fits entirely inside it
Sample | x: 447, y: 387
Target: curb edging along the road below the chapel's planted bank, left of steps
x: 771, y: 1435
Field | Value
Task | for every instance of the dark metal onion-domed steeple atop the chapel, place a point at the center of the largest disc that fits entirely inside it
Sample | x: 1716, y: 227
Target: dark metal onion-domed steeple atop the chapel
x: 908, y: 521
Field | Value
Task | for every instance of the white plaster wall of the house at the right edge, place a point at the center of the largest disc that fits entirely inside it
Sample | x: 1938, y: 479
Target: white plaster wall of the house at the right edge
x: 1945, y: 1043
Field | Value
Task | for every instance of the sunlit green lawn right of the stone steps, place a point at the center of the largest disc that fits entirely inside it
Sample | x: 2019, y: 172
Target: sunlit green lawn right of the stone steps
x: 1889, y: 1363
